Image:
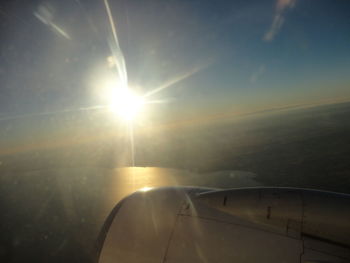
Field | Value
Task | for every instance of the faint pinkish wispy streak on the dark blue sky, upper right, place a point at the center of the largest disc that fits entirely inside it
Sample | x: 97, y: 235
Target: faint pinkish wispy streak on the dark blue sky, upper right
x: 282, y: 6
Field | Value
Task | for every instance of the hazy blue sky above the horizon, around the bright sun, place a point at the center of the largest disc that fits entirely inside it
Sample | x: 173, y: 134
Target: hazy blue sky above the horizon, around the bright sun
x: 203, y: 57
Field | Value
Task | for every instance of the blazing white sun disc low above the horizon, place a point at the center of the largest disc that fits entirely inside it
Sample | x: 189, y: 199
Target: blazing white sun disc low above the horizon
x: 126, y: 104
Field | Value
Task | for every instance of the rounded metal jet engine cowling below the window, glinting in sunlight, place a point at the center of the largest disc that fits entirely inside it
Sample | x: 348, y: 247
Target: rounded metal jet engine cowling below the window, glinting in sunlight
x: 245, y: 225
